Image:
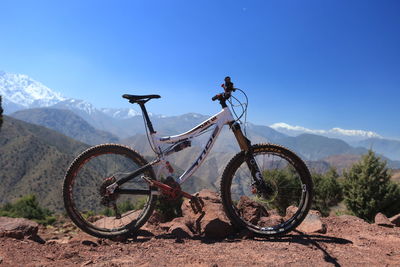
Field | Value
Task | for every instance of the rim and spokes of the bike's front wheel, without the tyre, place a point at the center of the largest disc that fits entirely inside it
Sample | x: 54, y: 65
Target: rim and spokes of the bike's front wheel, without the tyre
x: 285, y: 202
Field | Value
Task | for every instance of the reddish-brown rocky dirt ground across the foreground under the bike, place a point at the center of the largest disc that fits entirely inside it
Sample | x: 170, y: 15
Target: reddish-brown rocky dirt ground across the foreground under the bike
x: 342, y: 240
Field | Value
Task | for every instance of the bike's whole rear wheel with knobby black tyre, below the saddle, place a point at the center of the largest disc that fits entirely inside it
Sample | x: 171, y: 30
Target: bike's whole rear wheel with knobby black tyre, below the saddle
x: 85, y: 199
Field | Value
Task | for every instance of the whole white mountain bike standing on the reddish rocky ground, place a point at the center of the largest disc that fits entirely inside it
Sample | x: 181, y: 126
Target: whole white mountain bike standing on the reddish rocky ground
x: 110, y: 190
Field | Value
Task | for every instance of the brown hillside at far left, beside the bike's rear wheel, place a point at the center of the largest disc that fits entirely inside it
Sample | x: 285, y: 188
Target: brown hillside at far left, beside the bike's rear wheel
x: 34, y: 159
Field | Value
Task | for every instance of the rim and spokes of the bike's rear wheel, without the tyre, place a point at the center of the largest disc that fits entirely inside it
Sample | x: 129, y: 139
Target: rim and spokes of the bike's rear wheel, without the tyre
x: 87, y: 201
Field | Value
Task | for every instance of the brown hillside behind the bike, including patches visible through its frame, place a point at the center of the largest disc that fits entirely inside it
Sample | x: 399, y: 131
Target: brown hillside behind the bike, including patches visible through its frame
x: 34, y: 159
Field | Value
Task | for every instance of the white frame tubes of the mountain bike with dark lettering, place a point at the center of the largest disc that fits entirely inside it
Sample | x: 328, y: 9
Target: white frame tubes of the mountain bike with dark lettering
x: 219, y: 120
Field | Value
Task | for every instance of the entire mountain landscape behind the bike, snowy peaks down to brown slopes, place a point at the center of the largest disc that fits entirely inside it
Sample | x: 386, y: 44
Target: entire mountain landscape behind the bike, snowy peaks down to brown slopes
x: 45, y: 131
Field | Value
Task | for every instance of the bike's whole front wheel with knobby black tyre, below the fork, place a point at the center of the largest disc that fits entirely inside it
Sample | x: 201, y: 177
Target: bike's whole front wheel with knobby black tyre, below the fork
x: 289, y: 196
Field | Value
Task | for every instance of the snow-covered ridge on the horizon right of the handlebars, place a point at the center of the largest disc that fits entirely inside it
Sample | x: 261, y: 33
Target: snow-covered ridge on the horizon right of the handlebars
x: 346, y: 135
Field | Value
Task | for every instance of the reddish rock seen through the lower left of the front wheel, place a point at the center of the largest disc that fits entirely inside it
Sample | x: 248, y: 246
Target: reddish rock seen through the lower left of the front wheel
x: 250, y: 210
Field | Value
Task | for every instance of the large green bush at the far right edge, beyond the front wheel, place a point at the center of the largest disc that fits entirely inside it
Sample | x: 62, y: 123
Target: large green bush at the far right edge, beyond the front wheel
x: 368, y: 189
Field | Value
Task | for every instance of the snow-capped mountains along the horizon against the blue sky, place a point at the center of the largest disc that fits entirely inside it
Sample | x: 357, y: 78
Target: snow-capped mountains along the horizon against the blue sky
x: 21, y: 92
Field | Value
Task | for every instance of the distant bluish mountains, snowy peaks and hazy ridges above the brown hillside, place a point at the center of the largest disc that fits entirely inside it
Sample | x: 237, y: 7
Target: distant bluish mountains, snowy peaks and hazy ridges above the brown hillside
x: 21, y: 93
